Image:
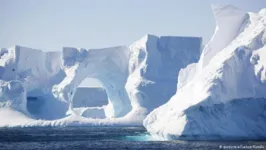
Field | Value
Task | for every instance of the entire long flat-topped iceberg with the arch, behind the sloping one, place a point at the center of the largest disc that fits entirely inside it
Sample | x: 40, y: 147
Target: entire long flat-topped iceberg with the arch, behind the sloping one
x: 137, y: 78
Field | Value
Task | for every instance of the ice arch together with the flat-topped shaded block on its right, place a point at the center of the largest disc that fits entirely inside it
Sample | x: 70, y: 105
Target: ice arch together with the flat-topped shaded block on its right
x: 137, y: 78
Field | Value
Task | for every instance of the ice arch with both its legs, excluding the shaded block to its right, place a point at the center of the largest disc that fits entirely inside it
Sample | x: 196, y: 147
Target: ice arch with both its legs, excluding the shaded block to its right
x: 109, y: 66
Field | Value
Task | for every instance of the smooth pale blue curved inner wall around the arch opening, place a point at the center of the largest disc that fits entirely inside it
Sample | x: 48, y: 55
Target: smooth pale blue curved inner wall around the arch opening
x: 114, y: 86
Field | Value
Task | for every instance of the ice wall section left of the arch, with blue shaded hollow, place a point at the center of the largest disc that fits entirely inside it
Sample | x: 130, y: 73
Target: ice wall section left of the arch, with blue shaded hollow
x: 38, y: 72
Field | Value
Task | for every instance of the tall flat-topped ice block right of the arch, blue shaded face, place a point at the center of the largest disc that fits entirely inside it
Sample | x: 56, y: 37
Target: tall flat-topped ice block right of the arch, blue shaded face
x: 154, y: 65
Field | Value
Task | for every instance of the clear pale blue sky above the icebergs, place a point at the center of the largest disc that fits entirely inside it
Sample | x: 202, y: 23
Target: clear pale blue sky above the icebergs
x: 52, y: 24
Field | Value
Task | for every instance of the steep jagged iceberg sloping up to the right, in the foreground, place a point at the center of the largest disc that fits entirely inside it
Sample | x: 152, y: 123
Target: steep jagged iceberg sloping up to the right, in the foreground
x: 223, y: 95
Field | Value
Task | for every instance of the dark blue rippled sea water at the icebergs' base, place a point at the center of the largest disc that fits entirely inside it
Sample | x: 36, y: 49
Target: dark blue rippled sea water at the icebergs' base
x: 71, y: 138
